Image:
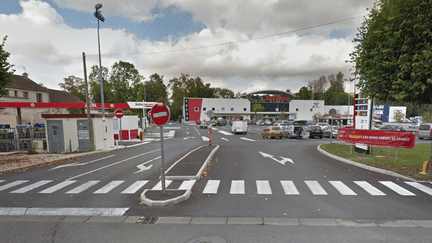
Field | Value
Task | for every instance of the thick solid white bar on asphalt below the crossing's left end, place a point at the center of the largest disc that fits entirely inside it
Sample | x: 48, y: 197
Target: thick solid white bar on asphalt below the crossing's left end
x: 76, y: 211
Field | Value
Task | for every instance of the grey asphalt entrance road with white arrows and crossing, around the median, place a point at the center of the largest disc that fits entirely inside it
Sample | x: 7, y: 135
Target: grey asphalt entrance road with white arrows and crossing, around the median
x: 240, y: 182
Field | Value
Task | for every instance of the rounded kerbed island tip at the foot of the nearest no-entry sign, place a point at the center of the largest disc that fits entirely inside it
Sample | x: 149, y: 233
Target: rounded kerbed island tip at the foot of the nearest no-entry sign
x: 171, y: 196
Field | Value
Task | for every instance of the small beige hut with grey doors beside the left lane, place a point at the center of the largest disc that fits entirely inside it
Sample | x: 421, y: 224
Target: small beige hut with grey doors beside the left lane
x: 70, y: 132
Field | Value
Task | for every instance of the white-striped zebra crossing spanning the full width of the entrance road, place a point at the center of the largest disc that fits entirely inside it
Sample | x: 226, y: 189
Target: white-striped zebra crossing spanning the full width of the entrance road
x: 236, y: 187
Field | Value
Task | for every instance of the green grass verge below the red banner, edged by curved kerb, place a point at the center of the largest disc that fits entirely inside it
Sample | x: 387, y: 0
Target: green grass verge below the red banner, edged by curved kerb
x: 409, y: 162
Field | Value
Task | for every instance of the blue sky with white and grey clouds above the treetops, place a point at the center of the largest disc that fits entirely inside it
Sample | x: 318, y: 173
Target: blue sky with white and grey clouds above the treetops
x: 242, y: 45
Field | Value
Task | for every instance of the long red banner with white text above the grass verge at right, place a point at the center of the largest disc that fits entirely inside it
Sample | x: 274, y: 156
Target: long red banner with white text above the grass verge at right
x: 377, y: 138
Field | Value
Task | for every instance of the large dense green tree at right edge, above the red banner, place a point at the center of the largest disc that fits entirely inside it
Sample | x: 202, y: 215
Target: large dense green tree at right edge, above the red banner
x: 394, y: 50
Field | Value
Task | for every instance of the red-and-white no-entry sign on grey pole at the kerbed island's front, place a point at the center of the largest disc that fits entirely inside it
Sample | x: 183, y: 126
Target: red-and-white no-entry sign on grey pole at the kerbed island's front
x: 160, y: 115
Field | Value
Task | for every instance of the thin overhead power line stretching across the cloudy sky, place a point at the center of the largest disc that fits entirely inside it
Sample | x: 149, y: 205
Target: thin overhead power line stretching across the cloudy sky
x: 235, y: 42
